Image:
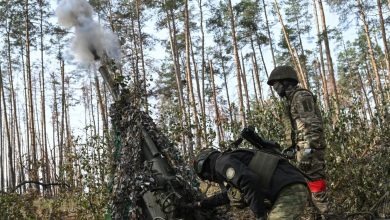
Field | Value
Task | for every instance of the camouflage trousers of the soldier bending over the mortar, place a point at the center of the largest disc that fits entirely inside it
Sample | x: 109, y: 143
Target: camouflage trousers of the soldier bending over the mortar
x: 290, y: 203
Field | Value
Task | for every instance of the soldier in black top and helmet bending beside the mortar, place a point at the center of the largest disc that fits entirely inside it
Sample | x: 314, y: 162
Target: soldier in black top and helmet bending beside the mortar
x: 253, y: 176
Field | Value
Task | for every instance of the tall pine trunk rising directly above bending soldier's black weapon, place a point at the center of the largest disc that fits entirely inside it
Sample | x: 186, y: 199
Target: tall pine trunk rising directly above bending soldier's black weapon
x: 238, y: 65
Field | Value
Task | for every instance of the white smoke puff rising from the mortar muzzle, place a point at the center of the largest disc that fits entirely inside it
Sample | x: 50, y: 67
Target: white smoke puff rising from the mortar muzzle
x: 91, y: 41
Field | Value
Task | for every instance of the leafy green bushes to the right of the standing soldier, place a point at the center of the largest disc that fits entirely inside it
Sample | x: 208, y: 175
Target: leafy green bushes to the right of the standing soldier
x: 357, y: 162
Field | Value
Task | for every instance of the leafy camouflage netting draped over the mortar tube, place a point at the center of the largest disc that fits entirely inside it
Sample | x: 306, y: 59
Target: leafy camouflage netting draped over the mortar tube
x: 132, y: 176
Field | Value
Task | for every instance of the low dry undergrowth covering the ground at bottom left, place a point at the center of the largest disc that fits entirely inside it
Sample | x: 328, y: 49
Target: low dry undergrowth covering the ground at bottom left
x: 69, y: 205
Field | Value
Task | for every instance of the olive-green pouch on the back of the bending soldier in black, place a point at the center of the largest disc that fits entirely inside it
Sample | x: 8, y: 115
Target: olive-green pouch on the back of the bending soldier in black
x: 264, y: 165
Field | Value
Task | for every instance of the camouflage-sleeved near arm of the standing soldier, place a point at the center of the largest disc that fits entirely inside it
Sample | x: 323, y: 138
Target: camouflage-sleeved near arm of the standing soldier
x: 307, y: 117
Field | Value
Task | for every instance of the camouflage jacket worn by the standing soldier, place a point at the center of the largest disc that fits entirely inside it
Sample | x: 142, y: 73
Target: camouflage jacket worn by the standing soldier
x: 303, y: 120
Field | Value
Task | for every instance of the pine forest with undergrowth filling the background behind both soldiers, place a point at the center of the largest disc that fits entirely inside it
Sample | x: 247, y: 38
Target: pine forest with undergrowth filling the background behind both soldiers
x: 196, y: 72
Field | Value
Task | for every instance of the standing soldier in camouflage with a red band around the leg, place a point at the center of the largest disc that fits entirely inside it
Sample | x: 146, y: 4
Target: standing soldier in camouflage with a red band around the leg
x: 304, y: 131
